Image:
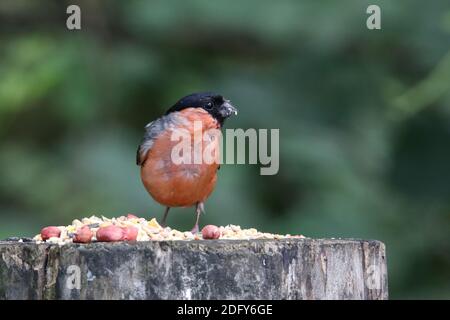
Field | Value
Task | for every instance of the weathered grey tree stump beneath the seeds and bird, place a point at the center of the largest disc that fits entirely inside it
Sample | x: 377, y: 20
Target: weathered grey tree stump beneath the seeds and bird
x: 204, y: 269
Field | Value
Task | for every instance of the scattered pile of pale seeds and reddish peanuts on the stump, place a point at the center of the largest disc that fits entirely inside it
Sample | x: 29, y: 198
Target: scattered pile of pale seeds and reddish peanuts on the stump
x: 132, y: 228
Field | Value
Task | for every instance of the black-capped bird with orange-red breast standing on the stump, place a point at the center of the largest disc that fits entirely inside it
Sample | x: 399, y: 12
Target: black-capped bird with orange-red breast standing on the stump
x: 185, y: 184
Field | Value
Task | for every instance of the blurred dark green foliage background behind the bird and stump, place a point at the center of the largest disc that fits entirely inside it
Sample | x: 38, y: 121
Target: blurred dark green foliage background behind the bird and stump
x: 364, y: 117
